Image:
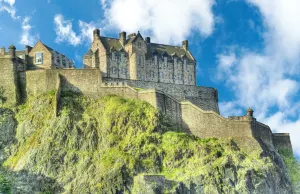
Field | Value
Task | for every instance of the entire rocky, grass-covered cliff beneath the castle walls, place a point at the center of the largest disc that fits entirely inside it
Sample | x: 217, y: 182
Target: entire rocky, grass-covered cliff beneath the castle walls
x: 116, y: 145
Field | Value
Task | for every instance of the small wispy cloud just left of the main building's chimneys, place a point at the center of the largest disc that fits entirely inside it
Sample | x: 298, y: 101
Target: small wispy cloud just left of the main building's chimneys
x: 65, y: 33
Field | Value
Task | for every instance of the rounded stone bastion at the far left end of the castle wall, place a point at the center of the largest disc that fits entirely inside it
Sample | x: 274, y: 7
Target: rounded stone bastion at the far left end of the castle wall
x: 9, y: 79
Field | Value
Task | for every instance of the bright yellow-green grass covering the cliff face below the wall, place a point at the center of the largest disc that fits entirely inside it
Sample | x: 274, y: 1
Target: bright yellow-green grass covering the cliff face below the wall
x: 98, y: 146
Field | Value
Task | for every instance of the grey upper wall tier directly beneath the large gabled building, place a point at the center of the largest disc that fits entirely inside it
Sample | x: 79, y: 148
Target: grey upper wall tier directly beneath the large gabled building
x: 204, y: 97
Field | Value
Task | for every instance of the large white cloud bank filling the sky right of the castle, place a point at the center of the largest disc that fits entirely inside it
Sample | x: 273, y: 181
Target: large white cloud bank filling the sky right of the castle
x: 268, y: 81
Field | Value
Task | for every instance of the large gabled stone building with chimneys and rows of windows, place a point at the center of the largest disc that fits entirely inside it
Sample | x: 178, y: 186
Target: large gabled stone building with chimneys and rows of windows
x: 136, y: 58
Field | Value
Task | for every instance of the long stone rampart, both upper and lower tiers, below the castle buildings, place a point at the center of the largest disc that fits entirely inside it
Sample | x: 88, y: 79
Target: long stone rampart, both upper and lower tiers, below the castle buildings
x: 204, y: 123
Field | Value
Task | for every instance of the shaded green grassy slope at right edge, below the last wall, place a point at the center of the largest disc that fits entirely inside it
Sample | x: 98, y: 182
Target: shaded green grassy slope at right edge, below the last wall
x: 293, y: 167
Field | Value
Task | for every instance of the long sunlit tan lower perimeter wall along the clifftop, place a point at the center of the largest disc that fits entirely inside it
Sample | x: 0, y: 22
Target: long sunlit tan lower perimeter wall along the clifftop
x: 183, y: 114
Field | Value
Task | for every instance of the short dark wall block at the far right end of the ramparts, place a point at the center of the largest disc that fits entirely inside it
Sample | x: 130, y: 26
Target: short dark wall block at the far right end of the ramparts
x: 282, y: 141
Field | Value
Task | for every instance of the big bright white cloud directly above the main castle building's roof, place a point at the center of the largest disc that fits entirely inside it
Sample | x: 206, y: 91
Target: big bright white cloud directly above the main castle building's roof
x: 166, y: 21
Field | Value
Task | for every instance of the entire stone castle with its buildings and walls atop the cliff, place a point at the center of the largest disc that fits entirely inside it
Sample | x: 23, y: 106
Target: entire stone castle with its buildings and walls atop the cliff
x: 132, y: 67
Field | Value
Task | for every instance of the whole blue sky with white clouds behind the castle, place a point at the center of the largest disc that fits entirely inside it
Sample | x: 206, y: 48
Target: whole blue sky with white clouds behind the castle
x: 247, y: 49
